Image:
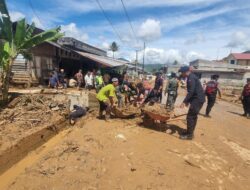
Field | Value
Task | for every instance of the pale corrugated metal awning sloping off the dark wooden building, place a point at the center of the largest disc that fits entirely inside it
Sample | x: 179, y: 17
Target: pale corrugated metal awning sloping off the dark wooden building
x: 106, y: 61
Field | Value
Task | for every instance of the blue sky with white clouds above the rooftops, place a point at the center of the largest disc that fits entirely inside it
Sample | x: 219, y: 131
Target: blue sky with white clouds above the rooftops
x: 173, y: 30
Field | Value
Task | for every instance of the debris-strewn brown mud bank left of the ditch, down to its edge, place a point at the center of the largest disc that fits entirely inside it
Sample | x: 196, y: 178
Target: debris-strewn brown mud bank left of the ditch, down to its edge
x: 27, y: 114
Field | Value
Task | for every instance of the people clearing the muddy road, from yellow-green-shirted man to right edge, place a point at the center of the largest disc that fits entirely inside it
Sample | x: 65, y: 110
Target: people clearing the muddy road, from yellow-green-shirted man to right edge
x: 141, y: 93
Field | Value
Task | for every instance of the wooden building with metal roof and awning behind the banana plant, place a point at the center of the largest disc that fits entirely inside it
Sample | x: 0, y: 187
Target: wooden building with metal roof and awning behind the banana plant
x: 67, y: 53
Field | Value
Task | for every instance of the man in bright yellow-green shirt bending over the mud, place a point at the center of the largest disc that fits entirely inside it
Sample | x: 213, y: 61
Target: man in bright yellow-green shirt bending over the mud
x: 106, y: 98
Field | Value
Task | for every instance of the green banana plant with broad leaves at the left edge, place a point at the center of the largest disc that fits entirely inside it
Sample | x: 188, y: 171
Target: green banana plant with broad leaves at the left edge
x: 17, y: 41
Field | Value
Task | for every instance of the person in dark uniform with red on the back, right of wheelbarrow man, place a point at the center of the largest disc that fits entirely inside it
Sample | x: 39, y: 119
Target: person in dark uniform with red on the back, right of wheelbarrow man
x: 211, y: 91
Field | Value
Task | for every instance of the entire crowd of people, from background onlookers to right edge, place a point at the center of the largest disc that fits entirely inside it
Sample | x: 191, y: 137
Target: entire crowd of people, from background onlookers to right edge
x: 140, y: 93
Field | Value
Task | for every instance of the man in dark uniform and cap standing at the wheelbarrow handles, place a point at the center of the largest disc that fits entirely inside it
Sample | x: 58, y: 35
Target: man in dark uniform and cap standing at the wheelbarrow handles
x: 195, y: 99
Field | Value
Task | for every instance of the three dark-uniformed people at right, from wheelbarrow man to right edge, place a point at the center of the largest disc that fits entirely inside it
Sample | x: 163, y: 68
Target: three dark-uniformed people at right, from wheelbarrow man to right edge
x: 196, y: 94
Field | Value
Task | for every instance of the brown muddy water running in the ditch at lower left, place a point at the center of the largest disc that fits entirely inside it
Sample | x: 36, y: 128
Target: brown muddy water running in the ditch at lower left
x: 7, y: 177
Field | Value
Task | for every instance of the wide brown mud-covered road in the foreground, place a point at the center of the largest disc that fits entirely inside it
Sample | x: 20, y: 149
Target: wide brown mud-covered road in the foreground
x: 125, y: 155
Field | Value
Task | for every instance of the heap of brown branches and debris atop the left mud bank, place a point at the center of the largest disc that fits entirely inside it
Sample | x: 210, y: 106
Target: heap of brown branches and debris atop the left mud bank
x: 33, y: 109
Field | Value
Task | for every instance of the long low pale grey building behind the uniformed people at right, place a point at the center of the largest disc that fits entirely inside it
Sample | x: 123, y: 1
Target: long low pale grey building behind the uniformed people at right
x: 230, y: 74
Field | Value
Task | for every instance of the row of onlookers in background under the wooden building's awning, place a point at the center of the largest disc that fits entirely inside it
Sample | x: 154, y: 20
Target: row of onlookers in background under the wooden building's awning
x: 91, y: 80
